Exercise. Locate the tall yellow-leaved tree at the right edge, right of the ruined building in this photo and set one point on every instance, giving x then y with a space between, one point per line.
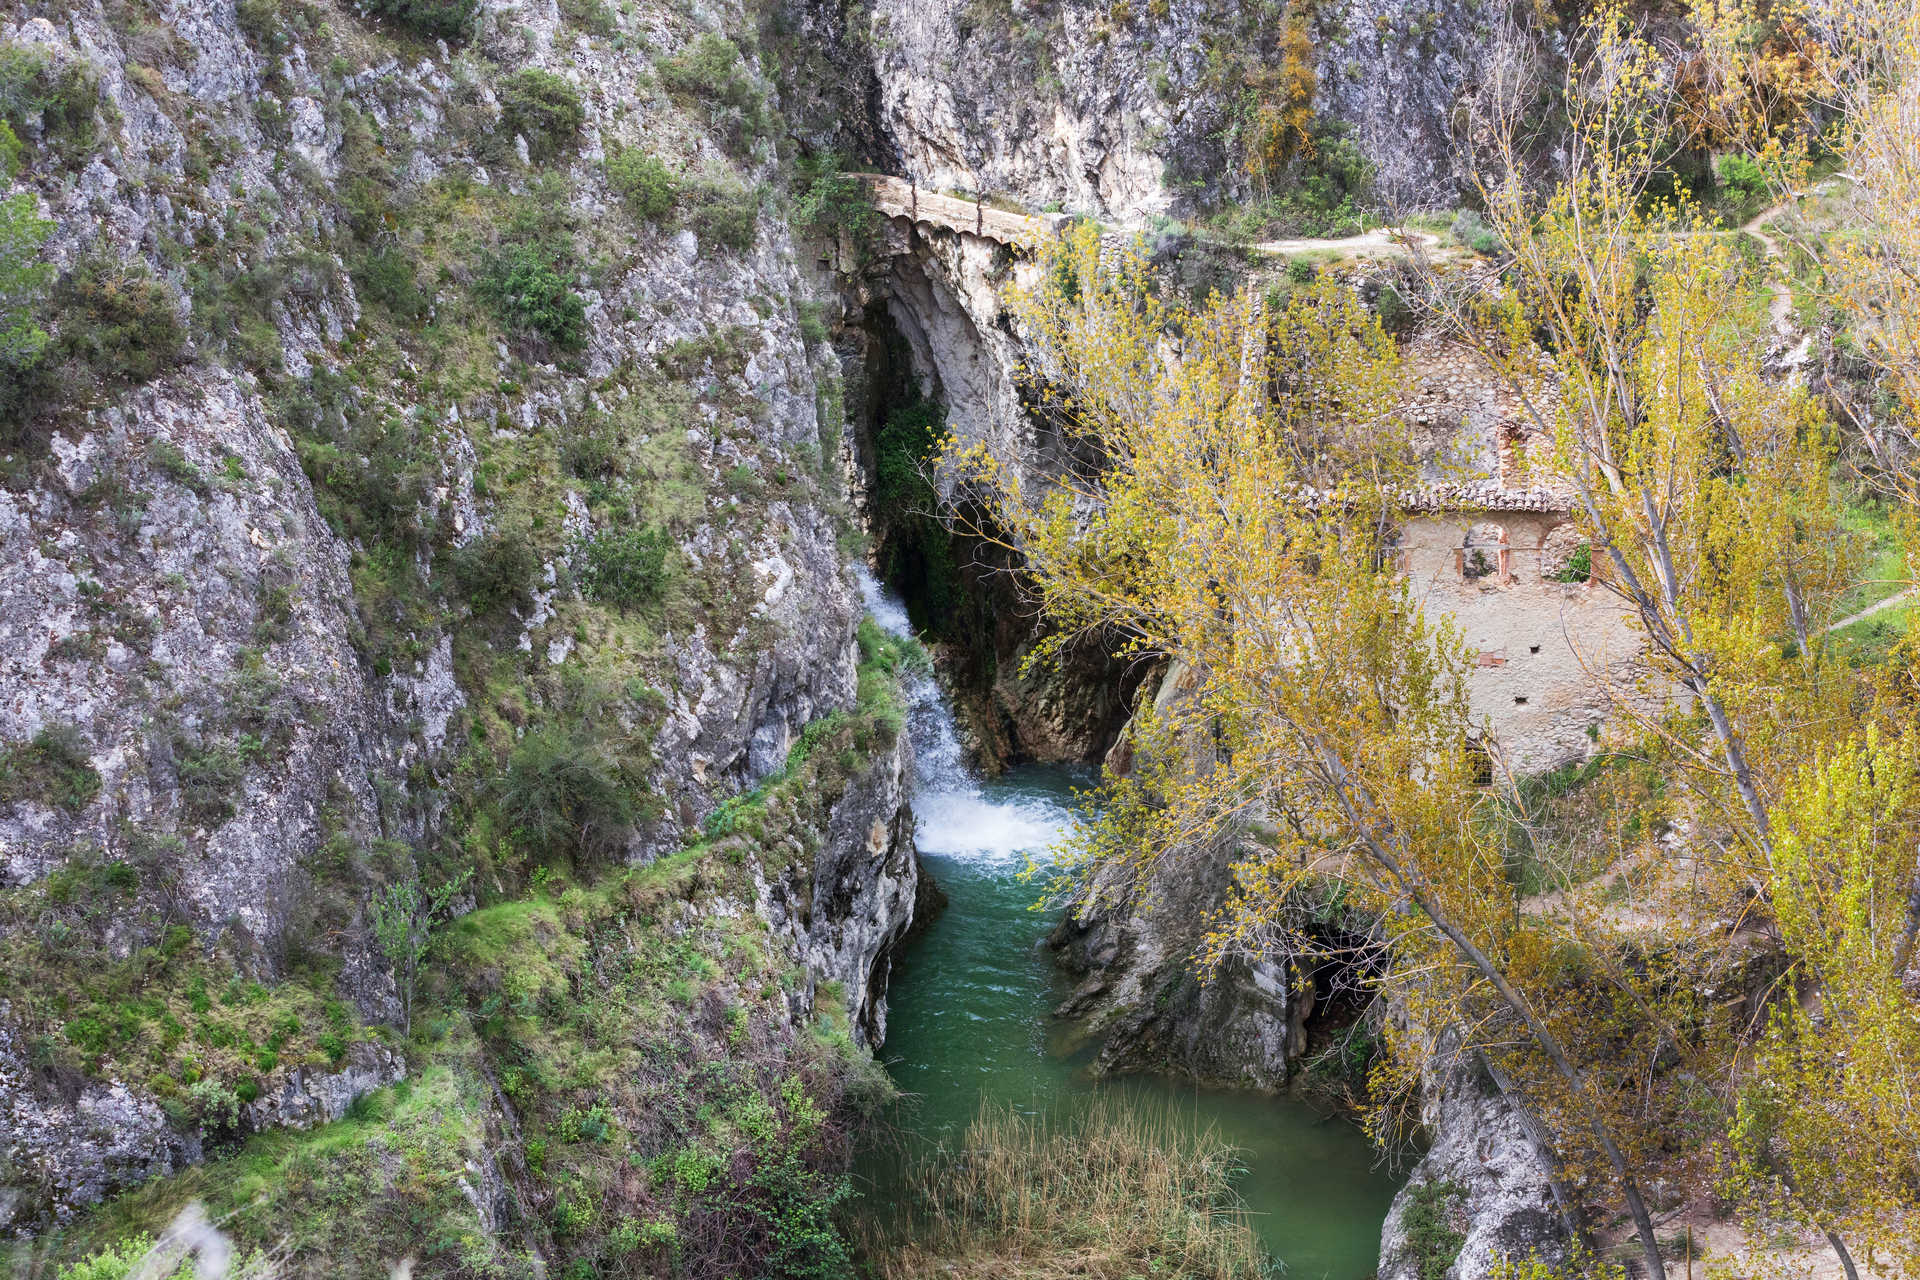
1706 485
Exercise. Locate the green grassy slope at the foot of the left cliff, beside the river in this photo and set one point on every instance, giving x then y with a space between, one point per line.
660 1102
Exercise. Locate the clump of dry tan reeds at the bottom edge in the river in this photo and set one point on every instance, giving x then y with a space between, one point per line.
1107 1191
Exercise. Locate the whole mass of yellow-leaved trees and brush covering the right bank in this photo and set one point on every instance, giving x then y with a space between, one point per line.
1243 523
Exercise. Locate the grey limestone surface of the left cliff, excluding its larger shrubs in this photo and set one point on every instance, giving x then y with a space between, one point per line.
174 594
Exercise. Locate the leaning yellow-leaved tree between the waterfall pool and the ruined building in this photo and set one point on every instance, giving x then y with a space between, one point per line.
1237 521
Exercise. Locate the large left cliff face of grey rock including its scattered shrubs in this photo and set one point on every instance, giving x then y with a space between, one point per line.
404 492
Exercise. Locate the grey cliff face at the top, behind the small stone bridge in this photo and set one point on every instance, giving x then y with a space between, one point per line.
1141 110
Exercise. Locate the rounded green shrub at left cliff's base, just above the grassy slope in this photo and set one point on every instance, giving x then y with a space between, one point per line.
564 792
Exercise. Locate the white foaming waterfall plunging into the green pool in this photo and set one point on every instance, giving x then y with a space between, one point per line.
957 817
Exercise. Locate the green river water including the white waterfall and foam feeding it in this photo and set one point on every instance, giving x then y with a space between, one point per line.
971 1014
